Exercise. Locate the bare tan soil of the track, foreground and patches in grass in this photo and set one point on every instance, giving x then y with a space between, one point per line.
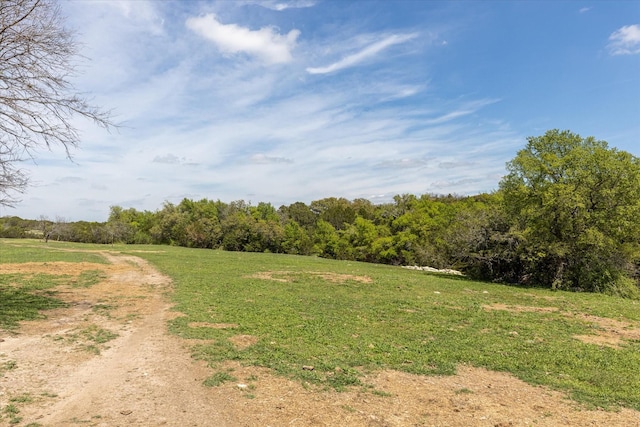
56 375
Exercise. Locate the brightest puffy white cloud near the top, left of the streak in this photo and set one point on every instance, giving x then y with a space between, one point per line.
264 43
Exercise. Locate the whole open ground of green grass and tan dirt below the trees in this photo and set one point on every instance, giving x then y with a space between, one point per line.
277 340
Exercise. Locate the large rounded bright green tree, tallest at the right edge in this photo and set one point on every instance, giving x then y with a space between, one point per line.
574 205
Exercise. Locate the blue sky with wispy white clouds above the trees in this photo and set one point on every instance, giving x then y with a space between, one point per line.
284 101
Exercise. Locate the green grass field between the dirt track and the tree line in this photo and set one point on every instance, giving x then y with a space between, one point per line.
346 318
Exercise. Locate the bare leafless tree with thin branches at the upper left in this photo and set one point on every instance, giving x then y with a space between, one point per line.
38 58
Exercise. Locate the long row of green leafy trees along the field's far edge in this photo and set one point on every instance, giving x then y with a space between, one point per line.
565 216
